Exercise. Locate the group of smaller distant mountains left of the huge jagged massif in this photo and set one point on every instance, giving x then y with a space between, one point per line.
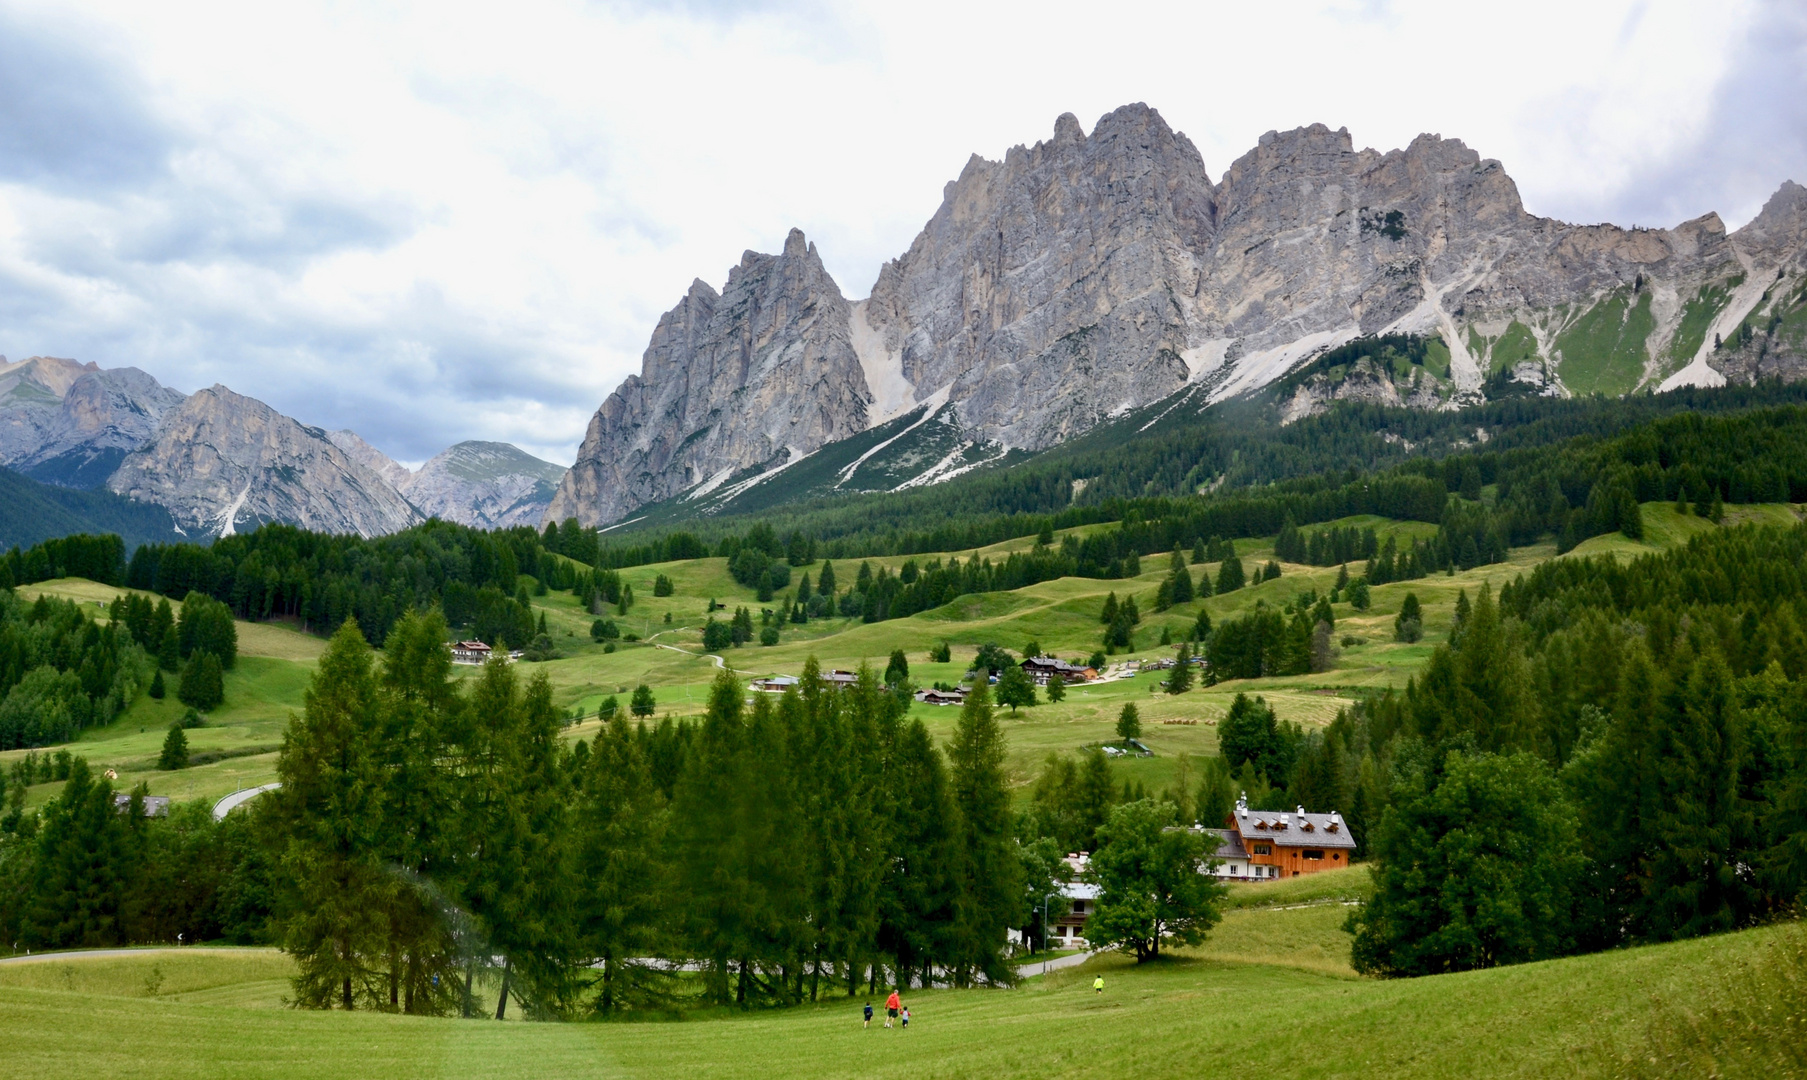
220 463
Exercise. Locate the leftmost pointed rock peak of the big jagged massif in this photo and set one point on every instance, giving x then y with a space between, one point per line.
753 378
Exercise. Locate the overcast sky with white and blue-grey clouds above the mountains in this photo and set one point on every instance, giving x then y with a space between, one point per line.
438 223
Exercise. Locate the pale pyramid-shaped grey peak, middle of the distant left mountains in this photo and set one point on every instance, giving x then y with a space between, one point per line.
223 461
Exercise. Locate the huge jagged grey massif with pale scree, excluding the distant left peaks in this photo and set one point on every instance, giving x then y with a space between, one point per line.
1091 277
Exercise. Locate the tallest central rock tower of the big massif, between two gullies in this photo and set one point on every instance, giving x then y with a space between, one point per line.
1053 290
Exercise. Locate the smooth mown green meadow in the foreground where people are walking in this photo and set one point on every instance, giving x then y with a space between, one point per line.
1271 992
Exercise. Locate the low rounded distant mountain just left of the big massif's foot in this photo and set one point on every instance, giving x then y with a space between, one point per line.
485 485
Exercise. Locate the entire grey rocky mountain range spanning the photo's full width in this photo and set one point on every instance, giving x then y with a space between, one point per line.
1078 283
